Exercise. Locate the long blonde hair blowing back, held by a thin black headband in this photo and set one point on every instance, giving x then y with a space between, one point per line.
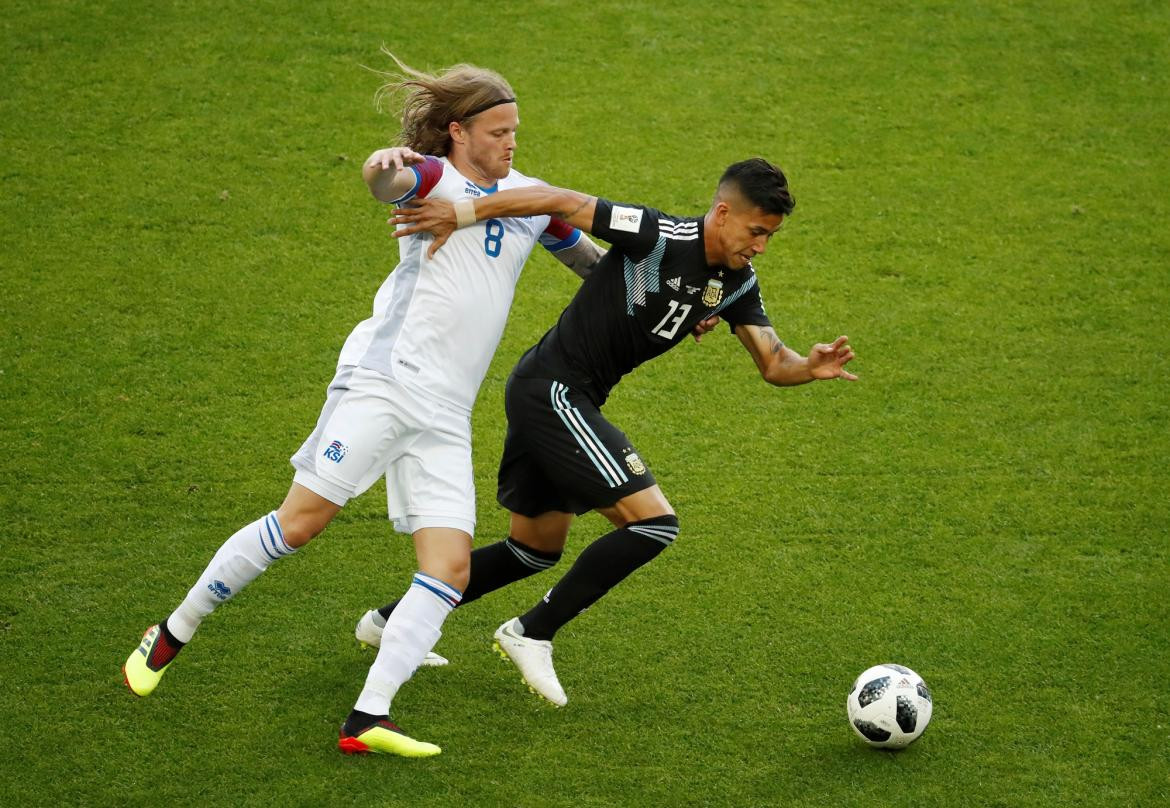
431 102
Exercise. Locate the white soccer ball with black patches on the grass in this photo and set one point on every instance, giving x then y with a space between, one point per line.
890 707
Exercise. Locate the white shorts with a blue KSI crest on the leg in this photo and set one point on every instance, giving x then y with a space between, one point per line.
374 426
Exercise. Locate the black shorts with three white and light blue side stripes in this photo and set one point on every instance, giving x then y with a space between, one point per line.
561 454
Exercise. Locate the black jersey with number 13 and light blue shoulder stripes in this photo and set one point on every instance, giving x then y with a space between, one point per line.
644 298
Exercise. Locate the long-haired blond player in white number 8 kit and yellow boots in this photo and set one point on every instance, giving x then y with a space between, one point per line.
402 398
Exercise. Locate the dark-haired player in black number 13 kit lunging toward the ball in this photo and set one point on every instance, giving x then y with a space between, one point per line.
663 277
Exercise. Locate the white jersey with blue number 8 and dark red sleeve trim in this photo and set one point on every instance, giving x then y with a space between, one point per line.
437 322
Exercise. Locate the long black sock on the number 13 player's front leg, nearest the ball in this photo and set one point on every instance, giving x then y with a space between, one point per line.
601 567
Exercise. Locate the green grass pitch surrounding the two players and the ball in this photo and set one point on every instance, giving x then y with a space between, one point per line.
982 208
